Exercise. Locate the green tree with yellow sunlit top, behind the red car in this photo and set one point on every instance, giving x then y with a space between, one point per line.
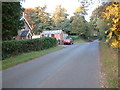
78 23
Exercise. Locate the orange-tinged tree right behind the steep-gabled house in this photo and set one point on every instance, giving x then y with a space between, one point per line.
38 18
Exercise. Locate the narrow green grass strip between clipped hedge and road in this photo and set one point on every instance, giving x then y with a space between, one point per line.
9 62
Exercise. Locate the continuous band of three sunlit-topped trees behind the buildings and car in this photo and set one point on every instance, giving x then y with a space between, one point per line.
75 25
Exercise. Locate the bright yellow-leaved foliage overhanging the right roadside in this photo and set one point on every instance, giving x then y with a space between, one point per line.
106 19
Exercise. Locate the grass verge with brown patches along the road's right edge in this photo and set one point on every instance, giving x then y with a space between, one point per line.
110 65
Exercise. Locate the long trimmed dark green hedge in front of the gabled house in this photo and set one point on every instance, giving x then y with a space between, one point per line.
15 47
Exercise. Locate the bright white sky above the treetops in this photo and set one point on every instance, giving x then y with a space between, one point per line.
69 5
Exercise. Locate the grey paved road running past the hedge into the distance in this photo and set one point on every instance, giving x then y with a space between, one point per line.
76 66
